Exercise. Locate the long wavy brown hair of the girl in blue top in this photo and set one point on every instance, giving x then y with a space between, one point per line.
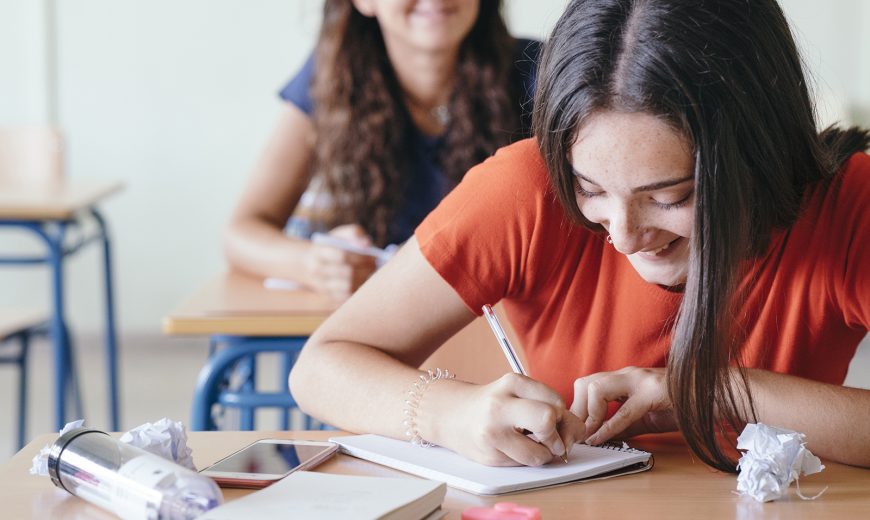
363 148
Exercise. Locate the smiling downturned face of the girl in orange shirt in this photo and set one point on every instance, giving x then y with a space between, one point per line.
633 174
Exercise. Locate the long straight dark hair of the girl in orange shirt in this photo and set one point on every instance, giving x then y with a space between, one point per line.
727 75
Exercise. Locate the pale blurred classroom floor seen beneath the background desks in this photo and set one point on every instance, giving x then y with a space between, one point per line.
157 377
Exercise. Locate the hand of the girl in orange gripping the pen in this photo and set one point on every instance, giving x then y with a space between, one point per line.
490 425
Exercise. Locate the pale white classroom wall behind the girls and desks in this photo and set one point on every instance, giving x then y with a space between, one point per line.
176 97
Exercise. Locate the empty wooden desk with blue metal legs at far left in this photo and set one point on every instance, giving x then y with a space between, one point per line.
46 209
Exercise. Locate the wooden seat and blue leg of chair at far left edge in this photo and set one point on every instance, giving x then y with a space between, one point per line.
18 326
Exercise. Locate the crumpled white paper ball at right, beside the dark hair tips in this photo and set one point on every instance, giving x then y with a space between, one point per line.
774 458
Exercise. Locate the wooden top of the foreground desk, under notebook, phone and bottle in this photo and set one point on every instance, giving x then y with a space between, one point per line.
677 487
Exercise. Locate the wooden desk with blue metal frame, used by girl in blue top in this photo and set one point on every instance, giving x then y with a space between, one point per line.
236 311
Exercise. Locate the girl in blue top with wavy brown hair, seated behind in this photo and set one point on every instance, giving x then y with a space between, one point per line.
398 100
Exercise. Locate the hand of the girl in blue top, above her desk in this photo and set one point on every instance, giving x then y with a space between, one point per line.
337 272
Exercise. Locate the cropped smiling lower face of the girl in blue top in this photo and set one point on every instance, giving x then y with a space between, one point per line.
423 25
